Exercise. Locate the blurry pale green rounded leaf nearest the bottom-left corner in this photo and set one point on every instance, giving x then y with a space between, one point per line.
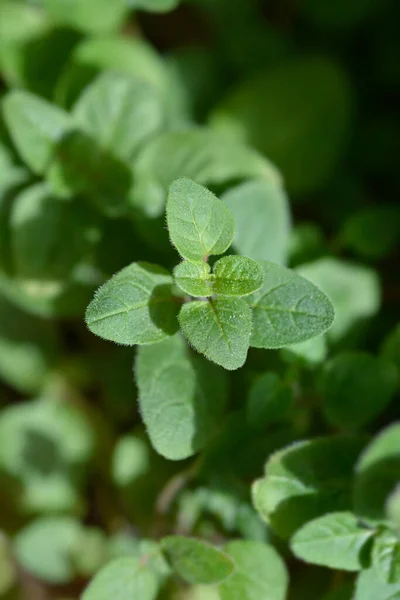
44 548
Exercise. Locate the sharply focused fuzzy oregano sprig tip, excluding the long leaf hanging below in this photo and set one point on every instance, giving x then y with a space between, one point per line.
221 310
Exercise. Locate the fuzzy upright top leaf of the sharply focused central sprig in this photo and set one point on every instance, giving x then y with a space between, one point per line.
199 224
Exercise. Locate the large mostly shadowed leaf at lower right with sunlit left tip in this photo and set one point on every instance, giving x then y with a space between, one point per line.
306 480
